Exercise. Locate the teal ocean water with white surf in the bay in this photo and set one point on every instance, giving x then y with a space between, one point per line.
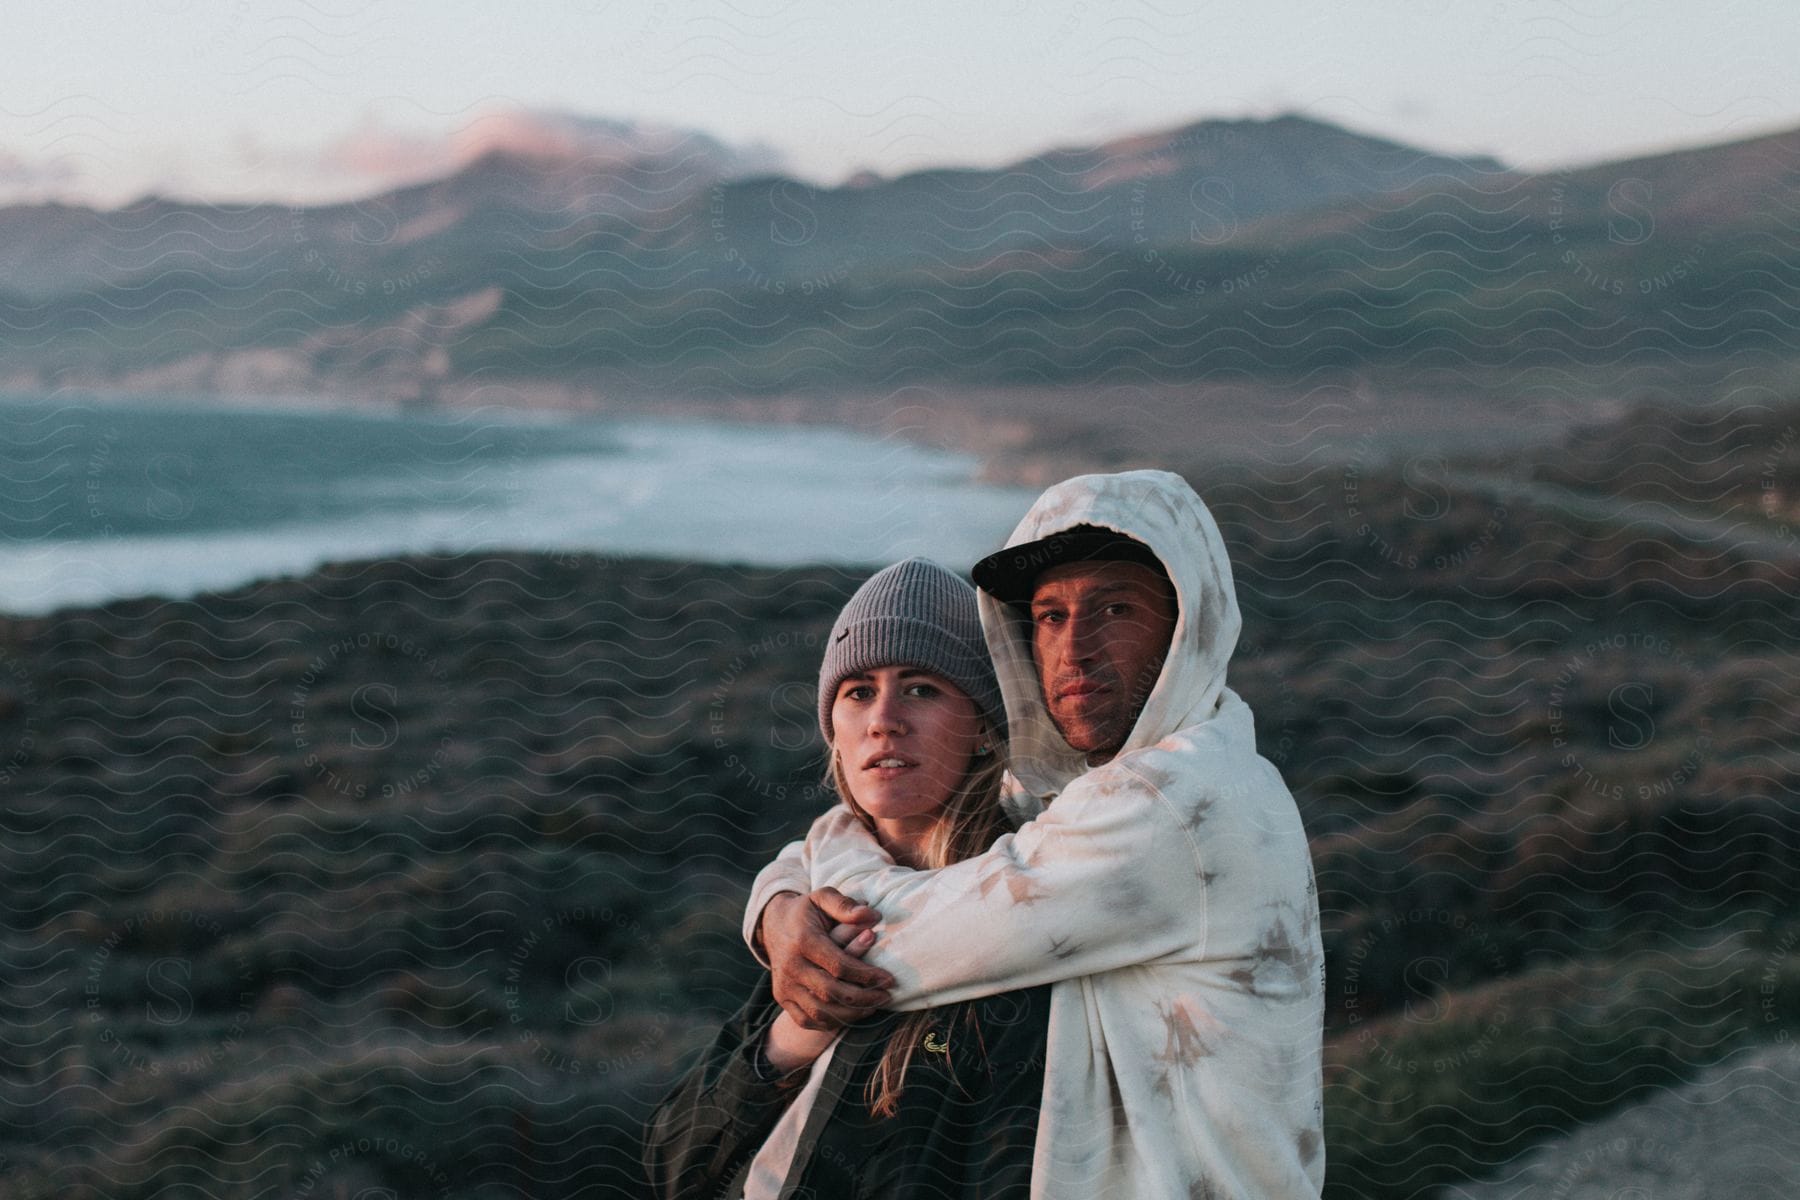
161 497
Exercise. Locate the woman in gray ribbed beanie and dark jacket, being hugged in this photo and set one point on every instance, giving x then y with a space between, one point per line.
931 1104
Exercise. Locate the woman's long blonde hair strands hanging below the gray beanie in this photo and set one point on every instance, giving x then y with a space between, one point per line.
967 825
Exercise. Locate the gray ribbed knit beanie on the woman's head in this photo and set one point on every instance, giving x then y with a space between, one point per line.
913 614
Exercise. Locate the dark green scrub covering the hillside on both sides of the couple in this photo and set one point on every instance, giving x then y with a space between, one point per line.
427 873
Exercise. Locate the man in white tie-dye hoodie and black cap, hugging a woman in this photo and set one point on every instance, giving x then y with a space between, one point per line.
1162 882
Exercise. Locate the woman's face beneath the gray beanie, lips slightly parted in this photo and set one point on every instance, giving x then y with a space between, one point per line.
904 739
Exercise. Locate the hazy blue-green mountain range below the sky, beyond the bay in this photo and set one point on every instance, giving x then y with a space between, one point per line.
1216 249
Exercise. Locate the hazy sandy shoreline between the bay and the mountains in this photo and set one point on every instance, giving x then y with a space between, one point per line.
1023 436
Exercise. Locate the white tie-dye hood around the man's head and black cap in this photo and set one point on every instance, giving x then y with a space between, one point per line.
1160 510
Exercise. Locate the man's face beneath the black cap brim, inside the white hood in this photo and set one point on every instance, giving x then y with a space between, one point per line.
1099 636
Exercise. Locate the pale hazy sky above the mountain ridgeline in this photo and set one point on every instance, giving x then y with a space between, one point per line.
231 98
